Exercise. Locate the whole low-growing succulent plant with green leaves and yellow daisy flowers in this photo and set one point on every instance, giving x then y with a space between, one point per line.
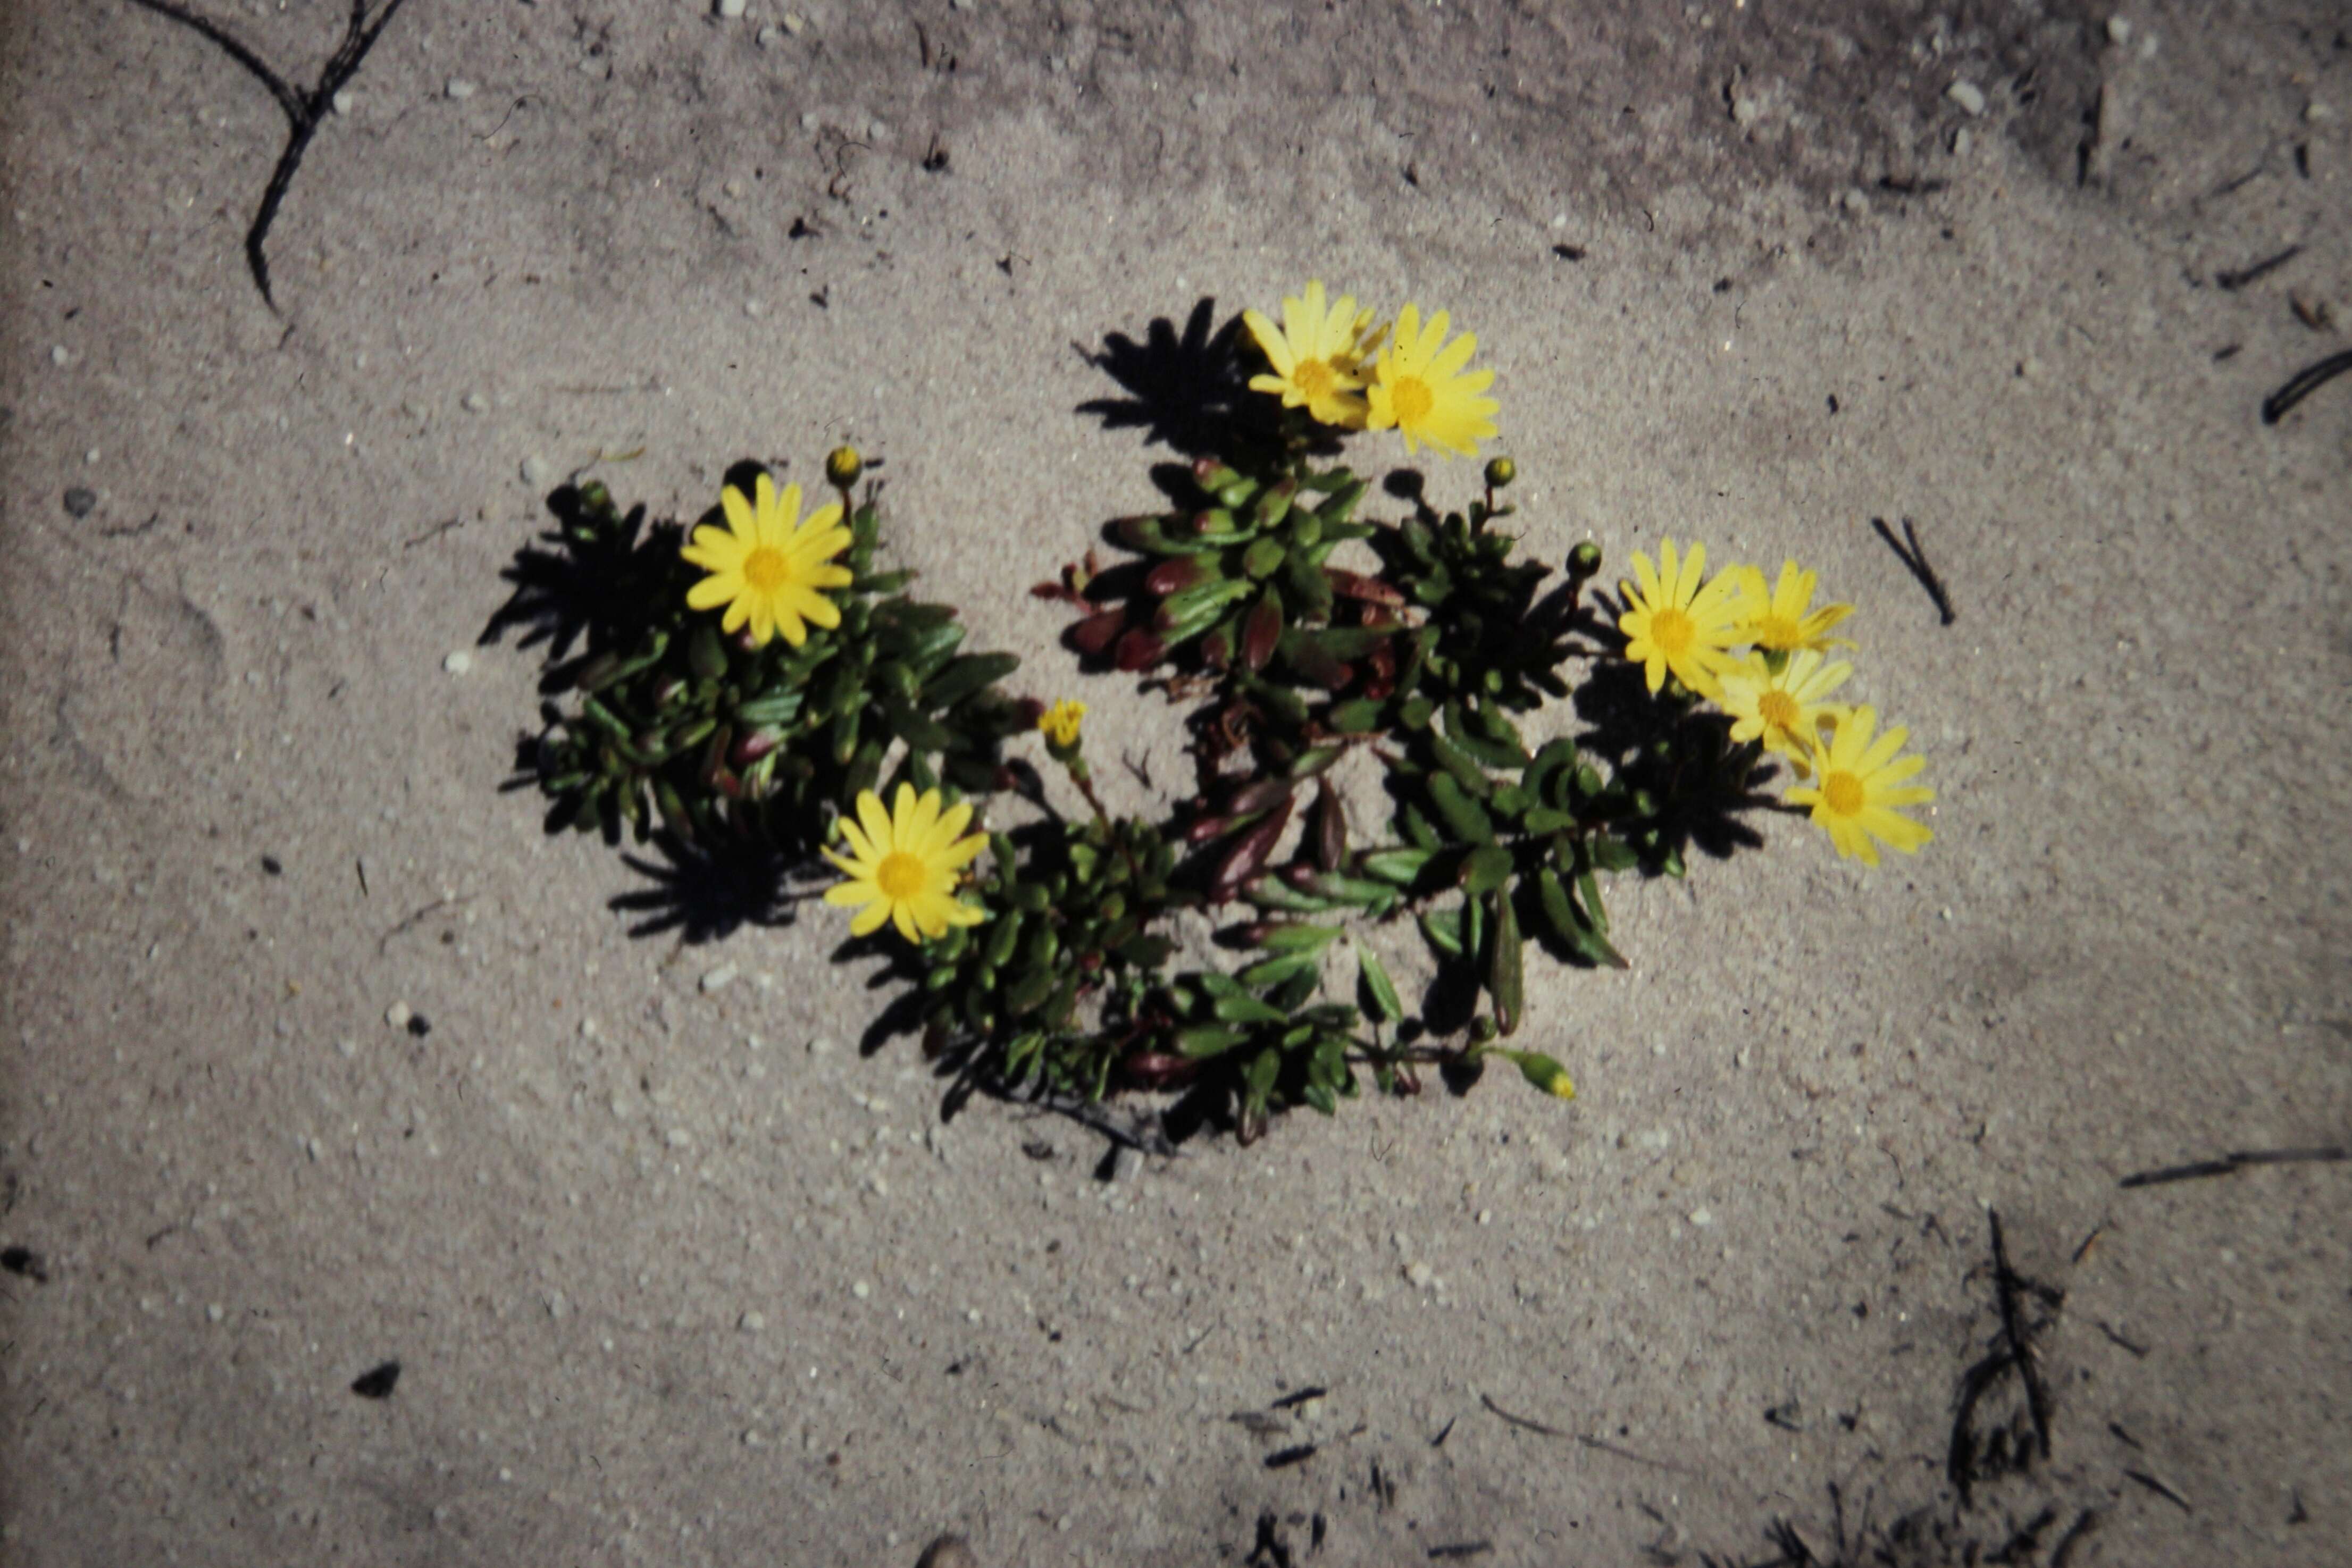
766 681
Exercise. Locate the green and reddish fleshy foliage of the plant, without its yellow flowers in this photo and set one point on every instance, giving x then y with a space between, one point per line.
1434 659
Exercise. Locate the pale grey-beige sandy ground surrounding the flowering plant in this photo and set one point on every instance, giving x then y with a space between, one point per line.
679 1275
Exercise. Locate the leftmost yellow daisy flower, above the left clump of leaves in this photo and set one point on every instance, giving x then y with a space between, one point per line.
768 568
